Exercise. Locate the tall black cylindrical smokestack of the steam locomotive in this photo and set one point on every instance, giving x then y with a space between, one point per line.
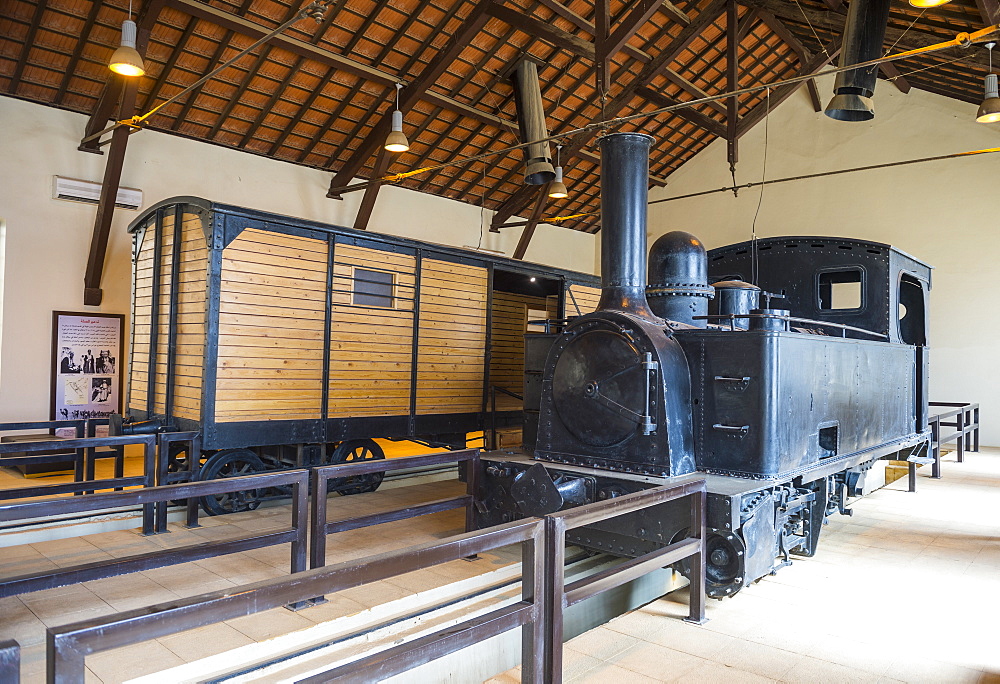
624 189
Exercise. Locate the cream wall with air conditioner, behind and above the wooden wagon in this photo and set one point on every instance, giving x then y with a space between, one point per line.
48 240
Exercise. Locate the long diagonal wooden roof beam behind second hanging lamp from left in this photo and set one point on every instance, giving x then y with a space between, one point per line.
413 92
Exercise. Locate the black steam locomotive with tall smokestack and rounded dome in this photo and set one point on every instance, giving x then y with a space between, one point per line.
786 414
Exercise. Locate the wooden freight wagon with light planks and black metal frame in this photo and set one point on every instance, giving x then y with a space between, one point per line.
290 342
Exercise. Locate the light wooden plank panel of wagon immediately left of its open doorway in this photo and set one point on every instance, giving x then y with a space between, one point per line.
451 344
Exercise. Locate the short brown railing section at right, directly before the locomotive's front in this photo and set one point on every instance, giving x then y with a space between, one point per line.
561 596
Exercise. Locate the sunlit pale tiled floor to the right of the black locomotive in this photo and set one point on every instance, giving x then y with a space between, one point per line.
908 589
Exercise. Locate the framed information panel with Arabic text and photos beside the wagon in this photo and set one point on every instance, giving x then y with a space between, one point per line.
86 364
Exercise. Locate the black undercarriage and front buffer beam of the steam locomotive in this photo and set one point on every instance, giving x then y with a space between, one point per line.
753 527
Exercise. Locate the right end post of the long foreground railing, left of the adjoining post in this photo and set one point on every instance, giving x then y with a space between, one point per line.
533 590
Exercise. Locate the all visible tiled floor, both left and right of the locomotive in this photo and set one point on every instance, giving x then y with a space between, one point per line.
908 589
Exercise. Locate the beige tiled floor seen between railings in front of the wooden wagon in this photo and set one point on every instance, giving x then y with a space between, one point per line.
26 617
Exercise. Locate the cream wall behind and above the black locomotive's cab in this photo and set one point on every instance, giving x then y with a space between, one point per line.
944 212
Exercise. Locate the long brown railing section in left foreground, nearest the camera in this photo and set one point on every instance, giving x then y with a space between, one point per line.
68 645
